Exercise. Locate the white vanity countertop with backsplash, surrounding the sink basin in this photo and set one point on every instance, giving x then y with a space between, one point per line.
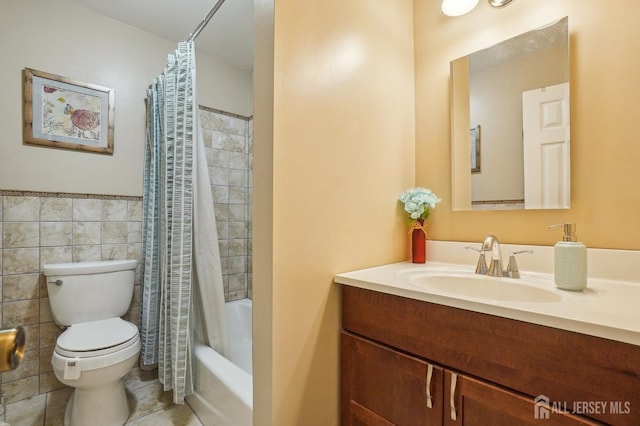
608 308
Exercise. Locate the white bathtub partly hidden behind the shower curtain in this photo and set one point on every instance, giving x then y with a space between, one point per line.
224 387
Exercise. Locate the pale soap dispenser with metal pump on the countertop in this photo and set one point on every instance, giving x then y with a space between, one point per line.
570 260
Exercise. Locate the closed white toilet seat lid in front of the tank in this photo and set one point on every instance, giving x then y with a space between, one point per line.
96 335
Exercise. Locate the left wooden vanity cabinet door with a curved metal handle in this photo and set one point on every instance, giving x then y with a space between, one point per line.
383 387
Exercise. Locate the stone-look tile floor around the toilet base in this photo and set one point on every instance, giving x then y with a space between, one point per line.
150 406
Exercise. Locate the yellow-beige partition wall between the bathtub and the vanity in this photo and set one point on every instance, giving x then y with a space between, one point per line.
342 151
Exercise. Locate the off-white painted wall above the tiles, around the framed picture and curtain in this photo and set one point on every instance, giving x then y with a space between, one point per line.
59 37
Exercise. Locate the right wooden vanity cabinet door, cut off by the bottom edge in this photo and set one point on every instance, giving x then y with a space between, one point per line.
471 402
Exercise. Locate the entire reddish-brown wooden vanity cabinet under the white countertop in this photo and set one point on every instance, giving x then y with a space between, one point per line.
410 362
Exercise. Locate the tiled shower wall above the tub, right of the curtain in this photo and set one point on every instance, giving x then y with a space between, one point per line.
229 145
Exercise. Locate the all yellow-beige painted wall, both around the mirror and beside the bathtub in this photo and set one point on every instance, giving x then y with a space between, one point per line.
341 140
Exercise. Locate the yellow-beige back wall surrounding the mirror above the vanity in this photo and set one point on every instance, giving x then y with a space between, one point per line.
605 89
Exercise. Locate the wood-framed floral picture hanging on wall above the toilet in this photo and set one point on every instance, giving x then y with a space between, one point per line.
63 113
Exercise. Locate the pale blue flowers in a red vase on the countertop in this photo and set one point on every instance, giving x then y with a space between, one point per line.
418 202
